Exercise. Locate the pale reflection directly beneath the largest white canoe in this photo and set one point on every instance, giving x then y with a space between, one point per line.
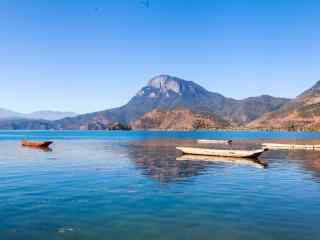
240 161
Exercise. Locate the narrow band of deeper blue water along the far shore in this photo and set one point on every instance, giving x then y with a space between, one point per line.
44 135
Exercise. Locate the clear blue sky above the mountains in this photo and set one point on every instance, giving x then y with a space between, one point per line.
86 56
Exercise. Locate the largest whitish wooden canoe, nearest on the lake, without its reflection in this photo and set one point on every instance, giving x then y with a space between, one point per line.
222 153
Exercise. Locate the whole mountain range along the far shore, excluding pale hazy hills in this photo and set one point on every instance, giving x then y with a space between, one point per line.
168 102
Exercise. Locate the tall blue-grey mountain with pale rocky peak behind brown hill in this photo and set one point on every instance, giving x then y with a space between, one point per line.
167 92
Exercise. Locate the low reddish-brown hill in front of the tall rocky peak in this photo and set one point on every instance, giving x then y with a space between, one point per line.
179 119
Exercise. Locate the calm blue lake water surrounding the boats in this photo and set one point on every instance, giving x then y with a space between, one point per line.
129 185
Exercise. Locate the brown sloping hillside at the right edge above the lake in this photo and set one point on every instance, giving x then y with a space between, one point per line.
301 113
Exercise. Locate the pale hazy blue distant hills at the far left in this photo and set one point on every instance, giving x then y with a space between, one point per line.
44 115
